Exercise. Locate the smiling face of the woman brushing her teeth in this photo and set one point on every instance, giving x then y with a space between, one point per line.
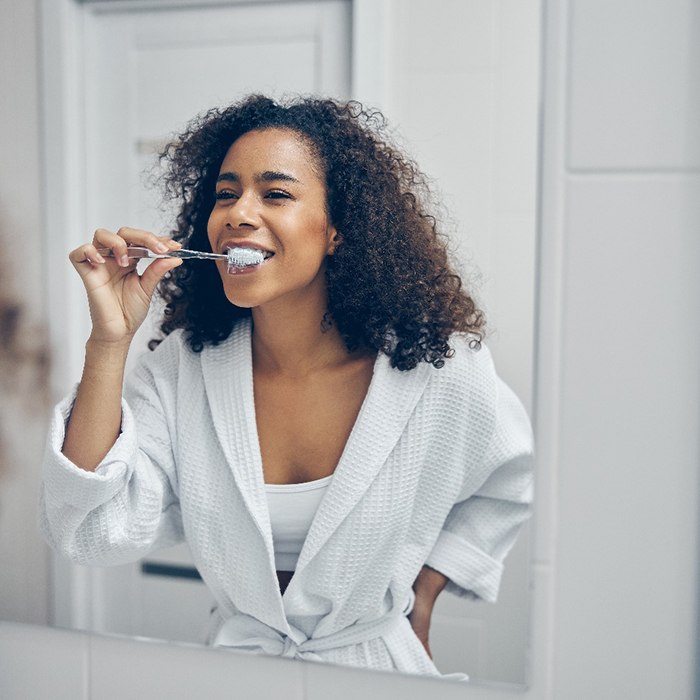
271 195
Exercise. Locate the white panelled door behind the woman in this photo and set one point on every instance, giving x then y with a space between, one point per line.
147 73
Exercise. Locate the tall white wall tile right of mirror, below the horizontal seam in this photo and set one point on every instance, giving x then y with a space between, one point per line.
628 482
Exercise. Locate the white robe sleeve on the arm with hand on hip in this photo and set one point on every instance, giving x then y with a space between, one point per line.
483 524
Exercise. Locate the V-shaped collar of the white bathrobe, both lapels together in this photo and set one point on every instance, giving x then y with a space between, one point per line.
391 398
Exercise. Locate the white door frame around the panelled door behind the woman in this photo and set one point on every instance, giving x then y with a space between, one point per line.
75 600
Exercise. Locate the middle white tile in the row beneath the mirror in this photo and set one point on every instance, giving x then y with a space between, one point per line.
126 668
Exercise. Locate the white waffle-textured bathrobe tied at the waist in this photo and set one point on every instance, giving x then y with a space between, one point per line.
437 470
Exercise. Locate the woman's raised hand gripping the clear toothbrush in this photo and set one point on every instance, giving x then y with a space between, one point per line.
118 296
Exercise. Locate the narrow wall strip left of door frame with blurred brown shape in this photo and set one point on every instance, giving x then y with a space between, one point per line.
23 397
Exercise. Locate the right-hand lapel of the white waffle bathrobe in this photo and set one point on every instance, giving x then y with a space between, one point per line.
389 403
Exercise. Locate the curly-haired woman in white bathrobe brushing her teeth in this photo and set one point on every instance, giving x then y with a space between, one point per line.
323 428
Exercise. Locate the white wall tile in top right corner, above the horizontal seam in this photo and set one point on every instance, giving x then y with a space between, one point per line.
635 84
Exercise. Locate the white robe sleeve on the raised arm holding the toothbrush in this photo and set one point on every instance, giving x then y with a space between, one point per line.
129 505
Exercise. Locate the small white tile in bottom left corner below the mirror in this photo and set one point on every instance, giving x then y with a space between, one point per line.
41 662
